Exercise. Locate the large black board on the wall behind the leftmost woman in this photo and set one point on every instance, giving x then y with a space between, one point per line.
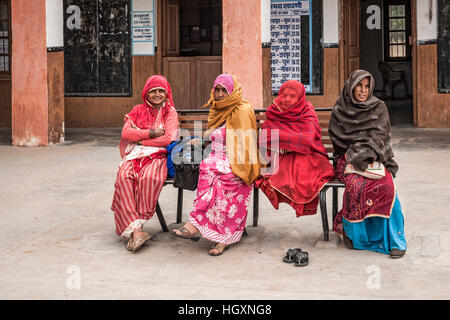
97 48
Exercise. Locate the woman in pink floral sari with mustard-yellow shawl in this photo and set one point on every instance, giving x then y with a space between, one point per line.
225 184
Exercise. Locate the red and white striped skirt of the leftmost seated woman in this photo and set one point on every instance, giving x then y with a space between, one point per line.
136 195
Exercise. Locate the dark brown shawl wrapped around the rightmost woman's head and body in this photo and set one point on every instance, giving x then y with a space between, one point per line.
361 130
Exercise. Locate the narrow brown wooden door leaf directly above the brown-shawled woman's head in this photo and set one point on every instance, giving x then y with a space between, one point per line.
350 37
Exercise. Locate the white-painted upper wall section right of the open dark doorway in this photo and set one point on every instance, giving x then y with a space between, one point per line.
426 28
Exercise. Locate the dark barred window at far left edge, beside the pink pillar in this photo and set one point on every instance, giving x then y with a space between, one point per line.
5 37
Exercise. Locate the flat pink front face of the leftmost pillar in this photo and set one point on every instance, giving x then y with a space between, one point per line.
29 73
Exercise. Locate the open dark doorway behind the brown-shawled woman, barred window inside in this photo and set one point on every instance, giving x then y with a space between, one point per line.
385 51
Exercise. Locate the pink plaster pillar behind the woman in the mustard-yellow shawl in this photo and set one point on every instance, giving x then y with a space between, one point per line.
242 48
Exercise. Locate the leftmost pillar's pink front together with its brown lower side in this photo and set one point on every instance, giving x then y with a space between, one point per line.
37 93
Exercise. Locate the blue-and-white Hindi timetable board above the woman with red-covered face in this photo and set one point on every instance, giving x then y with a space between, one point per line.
291 42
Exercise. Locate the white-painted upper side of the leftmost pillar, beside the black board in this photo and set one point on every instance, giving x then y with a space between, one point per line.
55 16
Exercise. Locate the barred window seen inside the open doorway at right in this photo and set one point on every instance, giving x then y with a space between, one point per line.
397 29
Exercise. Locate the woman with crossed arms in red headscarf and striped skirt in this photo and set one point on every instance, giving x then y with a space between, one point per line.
148 130
